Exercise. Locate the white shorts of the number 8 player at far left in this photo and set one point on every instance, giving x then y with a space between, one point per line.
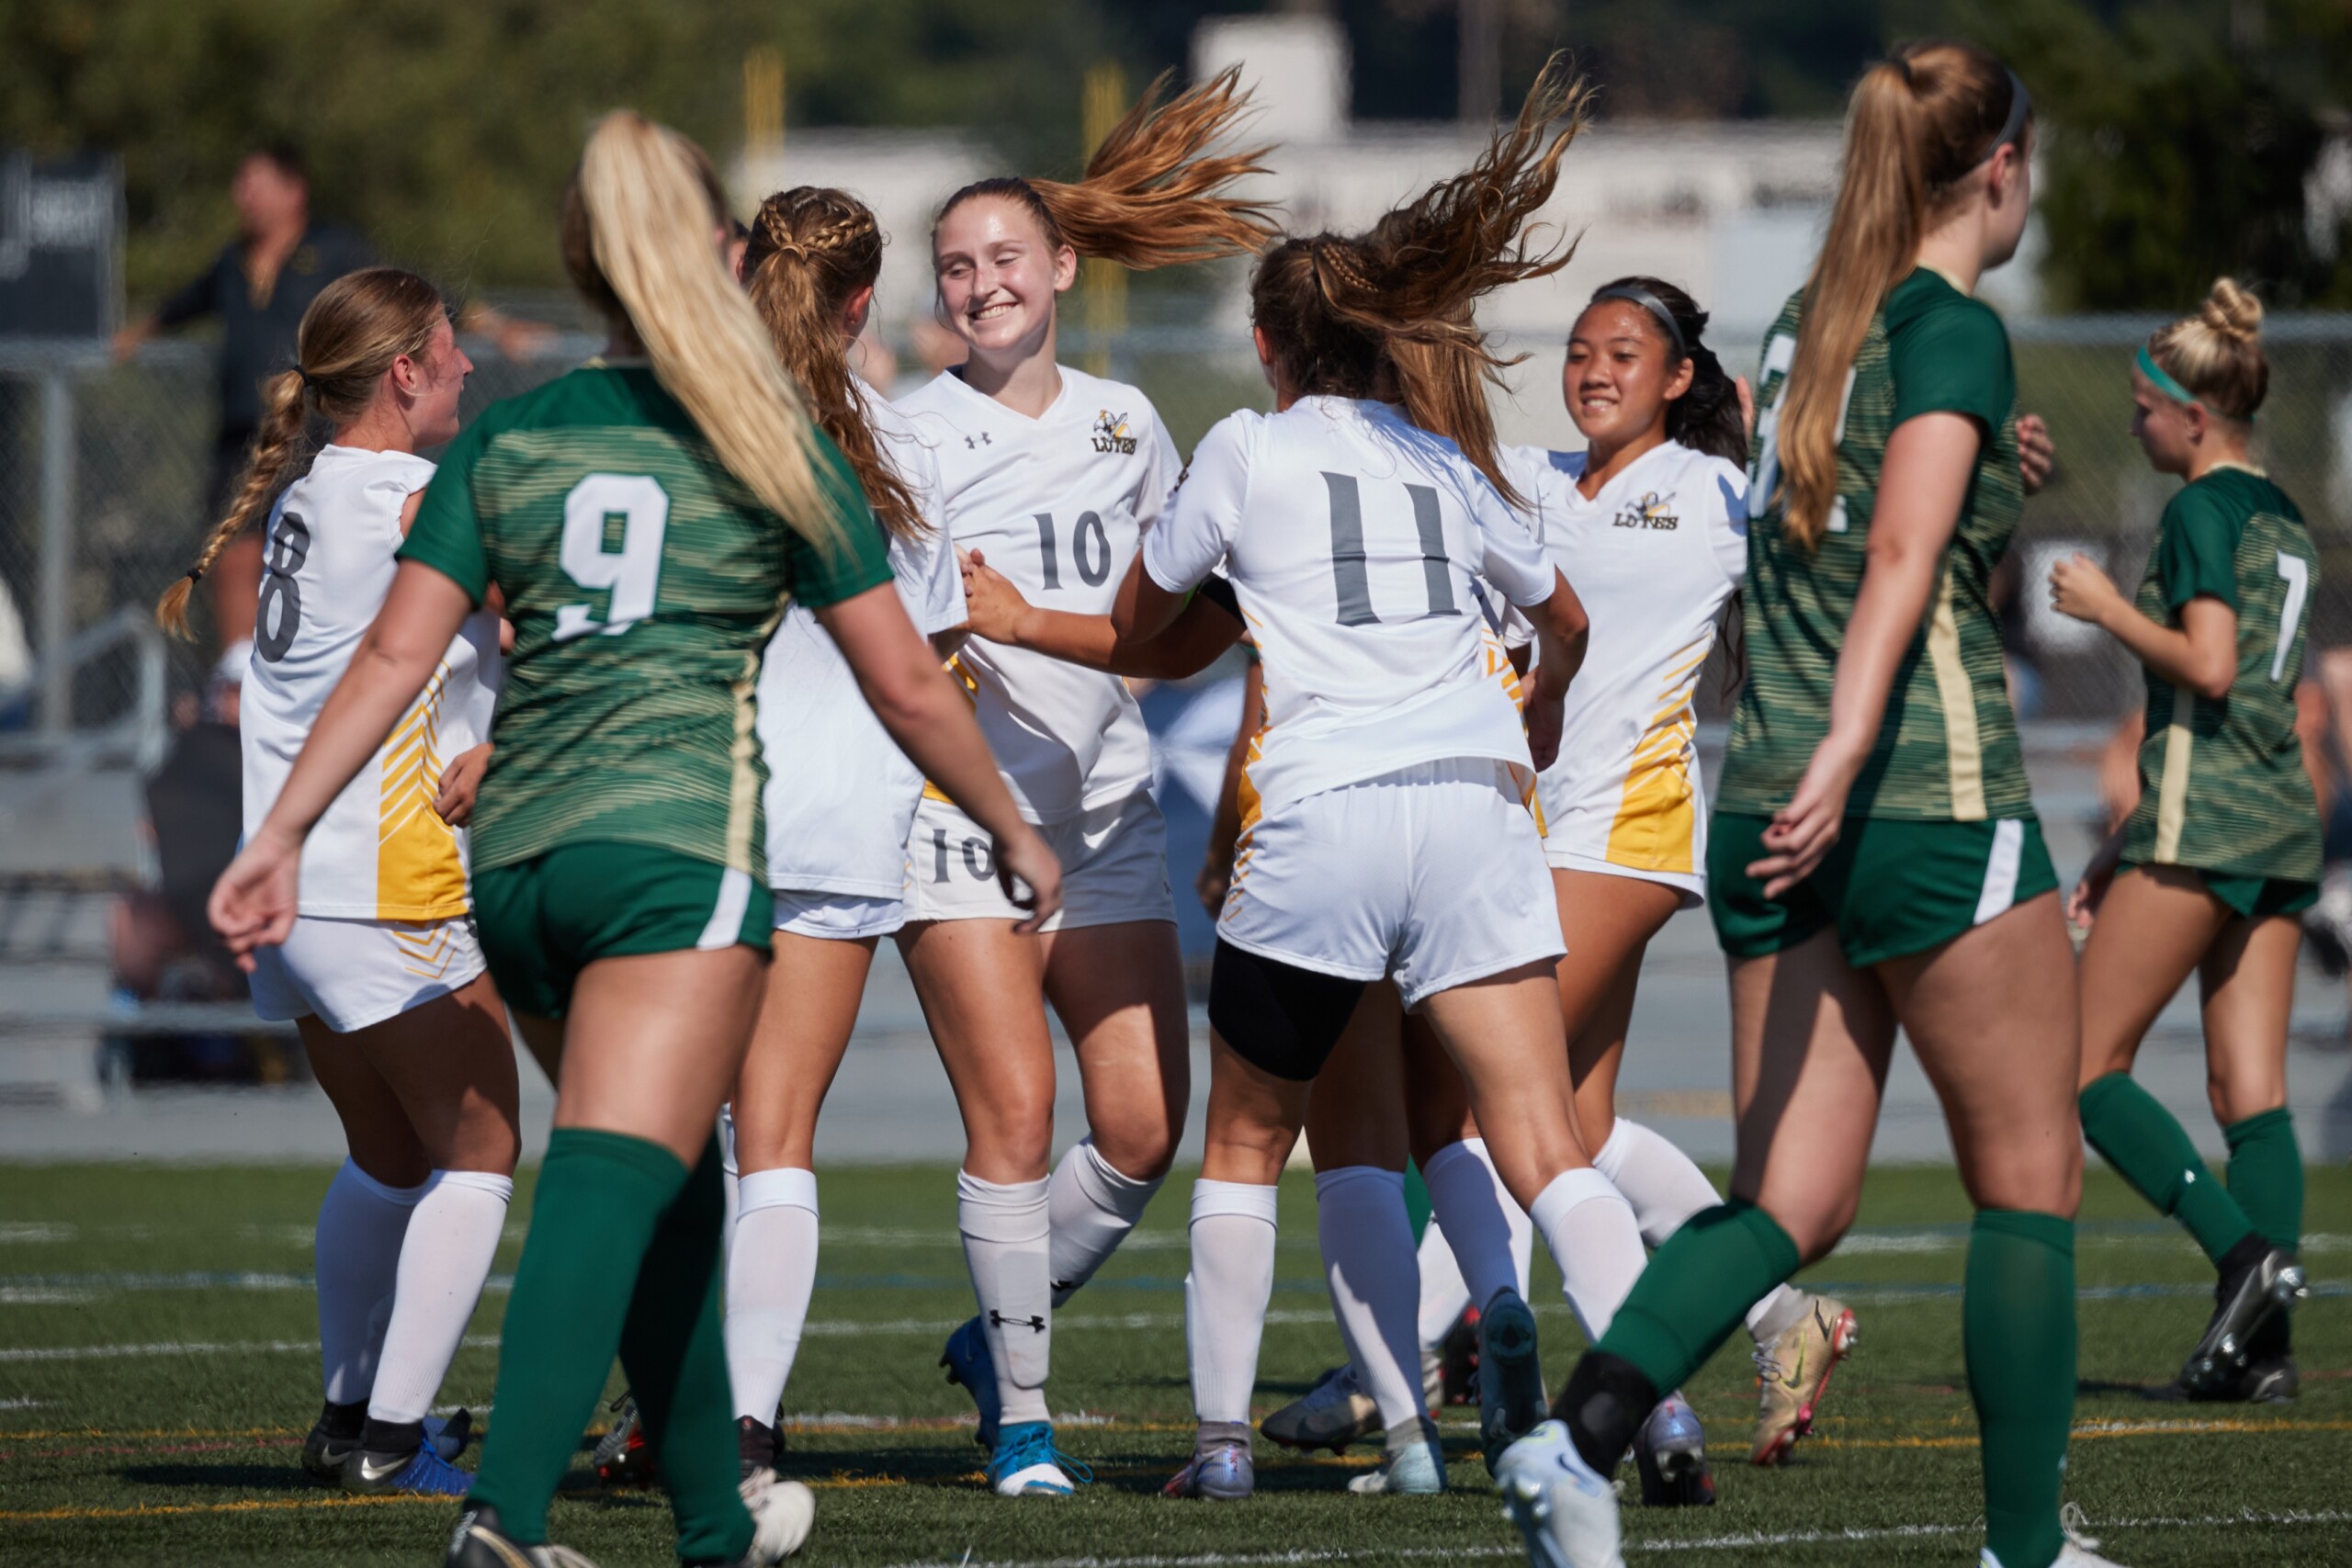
359 972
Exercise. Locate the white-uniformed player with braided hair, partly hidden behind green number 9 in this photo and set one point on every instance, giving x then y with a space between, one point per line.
841 793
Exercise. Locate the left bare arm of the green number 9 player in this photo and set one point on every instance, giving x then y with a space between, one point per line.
253 904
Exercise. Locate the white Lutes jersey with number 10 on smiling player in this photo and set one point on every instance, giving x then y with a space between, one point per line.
1057 507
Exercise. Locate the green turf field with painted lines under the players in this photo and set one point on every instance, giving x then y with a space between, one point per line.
159 1372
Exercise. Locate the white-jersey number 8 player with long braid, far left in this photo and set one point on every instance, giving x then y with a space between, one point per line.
382 972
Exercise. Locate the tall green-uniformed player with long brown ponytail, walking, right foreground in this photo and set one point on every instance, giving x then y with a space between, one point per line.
1876 862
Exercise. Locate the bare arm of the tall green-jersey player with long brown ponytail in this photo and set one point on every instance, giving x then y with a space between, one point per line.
1923 485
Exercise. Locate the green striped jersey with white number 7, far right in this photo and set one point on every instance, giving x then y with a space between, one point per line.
2224 784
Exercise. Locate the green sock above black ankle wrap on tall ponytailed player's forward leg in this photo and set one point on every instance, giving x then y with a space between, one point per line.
1697 1289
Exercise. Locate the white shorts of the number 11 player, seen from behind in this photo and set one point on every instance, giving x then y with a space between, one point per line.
1431 878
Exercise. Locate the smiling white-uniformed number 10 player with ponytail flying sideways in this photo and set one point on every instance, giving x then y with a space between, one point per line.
1055 476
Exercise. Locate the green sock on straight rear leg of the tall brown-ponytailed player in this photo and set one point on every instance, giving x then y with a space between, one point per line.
2019 1341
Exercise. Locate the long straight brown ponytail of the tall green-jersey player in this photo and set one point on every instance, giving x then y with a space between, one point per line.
1920 121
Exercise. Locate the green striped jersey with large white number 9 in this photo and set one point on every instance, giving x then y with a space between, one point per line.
643 582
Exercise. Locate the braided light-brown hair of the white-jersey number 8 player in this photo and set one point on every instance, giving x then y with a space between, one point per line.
347 342
